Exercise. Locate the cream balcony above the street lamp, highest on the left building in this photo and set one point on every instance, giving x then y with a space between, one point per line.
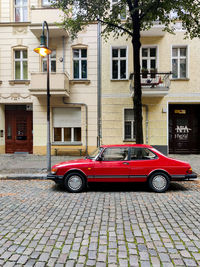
38 15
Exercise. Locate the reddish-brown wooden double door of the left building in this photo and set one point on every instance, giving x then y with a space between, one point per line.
19 126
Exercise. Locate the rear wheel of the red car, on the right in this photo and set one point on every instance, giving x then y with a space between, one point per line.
159 182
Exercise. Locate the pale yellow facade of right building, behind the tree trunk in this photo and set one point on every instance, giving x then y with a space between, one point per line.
170 90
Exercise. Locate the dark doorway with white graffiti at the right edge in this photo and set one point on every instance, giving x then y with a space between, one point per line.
184 128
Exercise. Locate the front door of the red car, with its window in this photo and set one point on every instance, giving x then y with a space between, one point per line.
113 165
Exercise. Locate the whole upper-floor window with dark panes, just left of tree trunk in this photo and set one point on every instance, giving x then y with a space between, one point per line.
119 63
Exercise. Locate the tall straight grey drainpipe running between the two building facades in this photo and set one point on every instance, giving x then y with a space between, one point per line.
99 118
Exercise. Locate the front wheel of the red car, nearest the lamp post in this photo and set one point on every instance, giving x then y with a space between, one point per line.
74 182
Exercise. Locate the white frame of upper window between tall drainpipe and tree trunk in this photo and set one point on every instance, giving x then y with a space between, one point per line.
118 58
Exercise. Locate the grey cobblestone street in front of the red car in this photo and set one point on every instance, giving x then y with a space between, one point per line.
109 225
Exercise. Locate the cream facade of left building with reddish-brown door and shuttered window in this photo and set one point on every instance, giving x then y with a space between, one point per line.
23 86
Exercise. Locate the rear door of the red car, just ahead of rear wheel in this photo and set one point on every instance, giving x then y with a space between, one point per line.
142 162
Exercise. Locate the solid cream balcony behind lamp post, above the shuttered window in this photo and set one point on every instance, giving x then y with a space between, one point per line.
59 84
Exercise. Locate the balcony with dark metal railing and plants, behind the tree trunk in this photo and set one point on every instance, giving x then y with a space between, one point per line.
155 84
